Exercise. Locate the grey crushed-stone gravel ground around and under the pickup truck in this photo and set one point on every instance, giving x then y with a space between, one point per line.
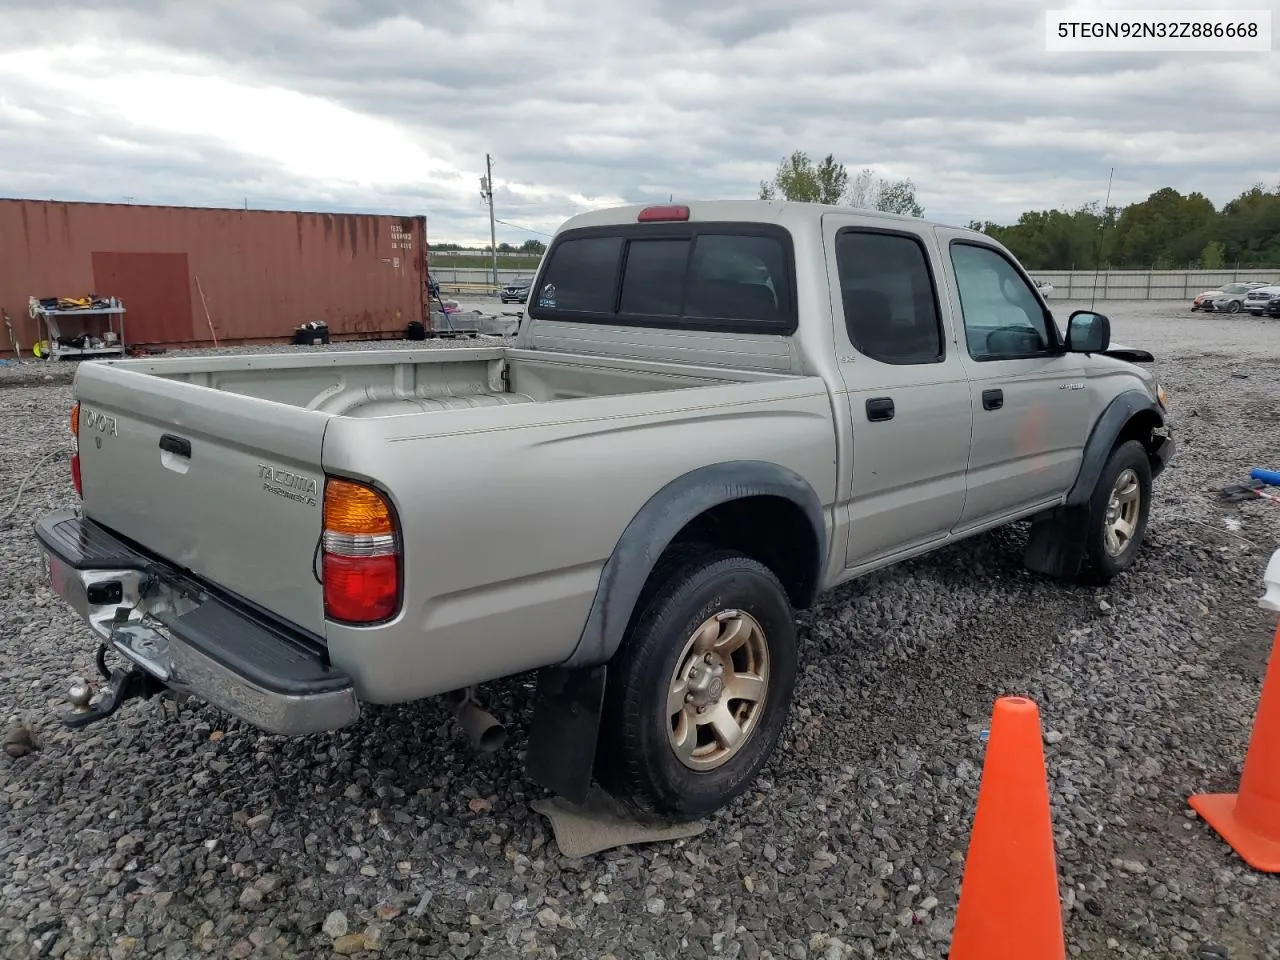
194 835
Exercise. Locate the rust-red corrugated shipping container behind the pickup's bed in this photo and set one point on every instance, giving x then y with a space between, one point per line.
260 273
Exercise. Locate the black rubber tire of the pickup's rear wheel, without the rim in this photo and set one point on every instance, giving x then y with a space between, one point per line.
637 762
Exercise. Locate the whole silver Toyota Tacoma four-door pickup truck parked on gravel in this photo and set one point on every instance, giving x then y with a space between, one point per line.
711 415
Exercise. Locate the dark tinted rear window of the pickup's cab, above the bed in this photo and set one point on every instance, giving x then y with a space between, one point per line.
700 277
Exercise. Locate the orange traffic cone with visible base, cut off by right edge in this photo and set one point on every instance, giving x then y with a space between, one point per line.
1250 821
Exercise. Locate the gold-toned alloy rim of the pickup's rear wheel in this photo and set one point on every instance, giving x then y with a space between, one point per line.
717 692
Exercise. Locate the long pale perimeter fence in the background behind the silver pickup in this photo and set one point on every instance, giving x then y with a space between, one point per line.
1076 285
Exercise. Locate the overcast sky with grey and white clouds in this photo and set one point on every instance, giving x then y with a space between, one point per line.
391 106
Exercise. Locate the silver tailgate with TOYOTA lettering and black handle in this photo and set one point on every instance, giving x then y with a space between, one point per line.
223 486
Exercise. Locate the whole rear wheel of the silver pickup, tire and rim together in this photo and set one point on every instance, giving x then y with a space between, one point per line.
701 689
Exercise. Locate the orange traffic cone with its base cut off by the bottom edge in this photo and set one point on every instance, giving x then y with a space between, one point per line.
1009 903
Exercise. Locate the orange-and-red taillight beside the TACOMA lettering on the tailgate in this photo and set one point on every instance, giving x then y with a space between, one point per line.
362 555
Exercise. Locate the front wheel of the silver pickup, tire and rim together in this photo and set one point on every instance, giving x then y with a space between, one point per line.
1119 510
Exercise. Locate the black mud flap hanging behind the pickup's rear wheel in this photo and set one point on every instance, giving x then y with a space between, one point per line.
568 707
